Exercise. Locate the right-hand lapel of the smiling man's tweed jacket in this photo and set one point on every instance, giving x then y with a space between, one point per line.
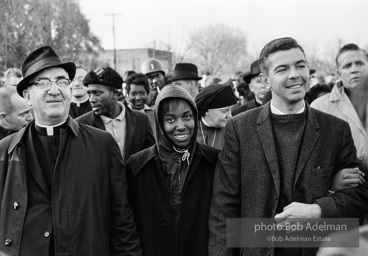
308 142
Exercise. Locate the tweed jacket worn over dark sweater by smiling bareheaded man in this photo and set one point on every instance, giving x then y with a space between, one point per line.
247 178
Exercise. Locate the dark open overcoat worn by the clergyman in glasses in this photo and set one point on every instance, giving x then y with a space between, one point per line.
90 210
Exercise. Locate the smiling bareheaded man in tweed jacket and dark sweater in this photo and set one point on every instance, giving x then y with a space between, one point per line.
278 160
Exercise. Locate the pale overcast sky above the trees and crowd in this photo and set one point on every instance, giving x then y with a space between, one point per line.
316 24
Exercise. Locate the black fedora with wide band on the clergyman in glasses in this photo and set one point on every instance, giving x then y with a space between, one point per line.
38 60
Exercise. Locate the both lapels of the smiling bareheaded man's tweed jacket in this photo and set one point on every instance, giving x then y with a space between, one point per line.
266 136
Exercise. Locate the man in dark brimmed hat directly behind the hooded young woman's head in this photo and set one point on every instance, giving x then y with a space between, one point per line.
186 75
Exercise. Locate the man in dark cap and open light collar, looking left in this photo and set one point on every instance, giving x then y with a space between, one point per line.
131 129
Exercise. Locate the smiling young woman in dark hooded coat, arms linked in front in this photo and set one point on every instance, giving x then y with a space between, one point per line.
170 183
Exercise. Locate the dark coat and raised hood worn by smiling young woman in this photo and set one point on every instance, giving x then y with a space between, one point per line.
162 231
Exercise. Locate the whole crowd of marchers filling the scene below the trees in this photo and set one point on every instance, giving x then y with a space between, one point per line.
96 163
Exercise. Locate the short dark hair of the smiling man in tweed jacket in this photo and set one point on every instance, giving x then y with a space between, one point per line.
280 44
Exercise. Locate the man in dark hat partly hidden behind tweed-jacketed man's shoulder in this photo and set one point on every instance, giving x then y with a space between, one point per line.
256 86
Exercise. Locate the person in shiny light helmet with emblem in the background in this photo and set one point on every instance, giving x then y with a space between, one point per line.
154 71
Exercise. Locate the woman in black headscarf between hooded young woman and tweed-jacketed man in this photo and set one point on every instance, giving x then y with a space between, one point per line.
214 104
